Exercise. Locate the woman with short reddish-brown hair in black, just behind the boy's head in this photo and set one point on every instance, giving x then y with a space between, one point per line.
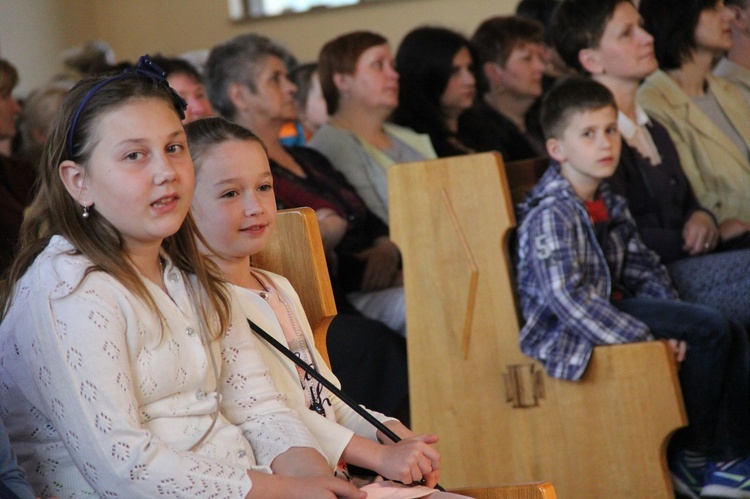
512 56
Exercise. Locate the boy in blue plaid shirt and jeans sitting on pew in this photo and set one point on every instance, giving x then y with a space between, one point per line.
586 279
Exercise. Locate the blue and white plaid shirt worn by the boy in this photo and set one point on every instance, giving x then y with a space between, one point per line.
566 277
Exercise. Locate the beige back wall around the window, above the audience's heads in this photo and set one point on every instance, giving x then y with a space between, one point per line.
34 32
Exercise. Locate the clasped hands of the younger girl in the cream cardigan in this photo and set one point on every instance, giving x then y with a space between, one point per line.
410 460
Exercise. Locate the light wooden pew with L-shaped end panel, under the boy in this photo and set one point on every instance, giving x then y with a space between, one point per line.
500 418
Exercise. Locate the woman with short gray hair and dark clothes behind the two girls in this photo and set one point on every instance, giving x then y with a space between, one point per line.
247 82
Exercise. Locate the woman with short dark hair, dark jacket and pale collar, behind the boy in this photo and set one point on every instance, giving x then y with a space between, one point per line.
589 36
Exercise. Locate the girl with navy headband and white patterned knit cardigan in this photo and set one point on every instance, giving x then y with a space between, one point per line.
126 370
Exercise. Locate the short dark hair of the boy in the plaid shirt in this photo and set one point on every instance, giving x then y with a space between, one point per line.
569 96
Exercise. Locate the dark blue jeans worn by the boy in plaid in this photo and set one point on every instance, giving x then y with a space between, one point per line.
715 375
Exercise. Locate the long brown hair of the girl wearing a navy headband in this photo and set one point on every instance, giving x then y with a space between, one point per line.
55 212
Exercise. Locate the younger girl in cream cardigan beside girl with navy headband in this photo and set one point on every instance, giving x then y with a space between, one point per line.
235 209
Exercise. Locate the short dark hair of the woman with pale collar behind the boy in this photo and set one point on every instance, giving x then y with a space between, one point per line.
578 25
